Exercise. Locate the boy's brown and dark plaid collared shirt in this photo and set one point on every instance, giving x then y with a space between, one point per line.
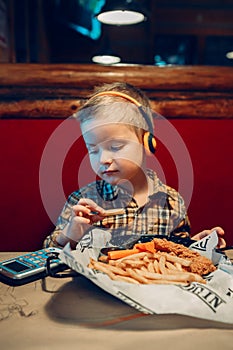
163 214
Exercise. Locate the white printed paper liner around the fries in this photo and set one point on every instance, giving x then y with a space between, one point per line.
211 301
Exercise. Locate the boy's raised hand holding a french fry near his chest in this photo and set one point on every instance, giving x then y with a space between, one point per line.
84 214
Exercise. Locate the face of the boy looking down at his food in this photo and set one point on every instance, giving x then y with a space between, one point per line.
115 152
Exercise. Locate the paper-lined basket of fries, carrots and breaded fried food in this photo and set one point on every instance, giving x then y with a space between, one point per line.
159 275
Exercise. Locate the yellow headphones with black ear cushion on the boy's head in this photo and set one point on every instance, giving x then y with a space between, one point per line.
149 140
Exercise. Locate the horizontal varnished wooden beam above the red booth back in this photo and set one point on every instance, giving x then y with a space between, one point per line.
55 90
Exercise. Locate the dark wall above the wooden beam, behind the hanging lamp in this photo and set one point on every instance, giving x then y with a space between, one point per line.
193 32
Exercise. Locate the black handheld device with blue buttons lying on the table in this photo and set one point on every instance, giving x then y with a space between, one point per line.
30 266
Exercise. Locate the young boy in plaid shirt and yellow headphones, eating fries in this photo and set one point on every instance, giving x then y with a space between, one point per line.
117 127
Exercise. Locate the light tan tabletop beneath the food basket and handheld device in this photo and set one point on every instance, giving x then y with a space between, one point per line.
75 314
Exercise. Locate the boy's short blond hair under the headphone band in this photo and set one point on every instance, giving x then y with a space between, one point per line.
107 107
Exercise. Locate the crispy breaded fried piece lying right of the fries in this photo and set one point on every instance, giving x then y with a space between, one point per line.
199 263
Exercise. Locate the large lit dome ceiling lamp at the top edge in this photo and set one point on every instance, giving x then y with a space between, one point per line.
121 13
